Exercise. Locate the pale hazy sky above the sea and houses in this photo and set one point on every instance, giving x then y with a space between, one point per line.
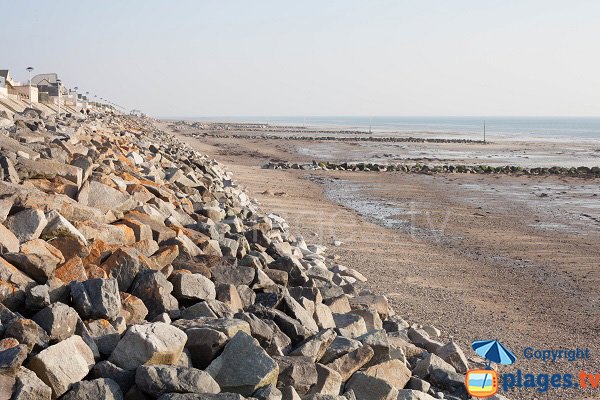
346 57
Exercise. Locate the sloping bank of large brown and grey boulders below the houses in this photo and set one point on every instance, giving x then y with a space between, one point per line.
132 267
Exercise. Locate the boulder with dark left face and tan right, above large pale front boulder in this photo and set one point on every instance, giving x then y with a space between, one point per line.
155 291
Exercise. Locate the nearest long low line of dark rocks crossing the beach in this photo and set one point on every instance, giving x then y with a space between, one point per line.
445 168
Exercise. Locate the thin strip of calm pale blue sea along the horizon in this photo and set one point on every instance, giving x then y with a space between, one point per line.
521 127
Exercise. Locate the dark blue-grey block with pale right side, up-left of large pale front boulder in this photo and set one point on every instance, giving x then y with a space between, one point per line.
96 298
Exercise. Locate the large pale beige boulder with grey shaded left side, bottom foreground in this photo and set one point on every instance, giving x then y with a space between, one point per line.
155 343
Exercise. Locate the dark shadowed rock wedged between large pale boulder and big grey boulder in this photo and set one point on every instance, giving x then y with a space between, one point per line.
204 344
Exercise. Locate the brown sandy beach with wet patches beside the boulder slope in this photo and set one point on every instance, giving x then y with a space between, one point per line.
478 256
